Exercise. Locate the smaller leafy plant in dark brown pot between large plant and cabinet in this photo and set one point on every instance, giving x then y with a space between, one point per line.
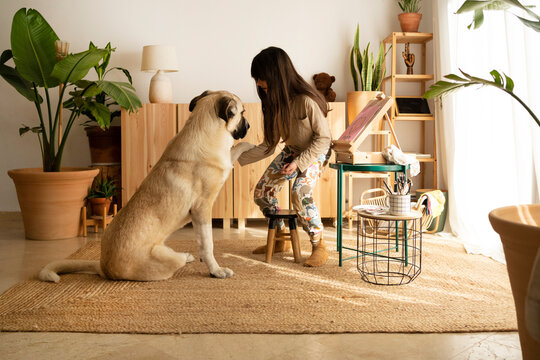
104 139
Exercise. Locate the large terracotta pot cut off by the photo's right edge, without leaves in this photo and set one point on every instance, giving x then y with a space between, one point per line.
519 229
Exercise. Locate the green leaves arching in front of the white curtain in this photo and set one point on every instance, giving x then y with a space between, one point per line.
500 81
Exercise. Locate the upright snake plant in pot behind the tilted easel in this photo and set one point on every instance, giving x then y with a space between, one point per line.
367 76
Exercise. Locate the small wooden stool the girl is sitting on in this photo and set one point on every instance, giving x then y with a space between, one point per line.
291 236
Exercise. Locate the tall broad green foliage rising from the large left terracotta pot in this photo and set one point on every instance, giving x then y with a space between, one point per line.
37 70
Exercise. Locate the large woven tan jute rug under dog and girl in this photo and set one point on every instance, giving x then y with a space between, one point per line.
455 292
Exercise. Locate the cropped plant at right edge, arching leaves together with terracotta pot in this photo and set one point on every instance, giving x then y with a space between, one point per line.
518 225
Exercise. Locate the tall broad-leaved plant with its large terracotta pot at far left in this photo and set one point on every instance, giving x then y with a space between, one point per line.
50 197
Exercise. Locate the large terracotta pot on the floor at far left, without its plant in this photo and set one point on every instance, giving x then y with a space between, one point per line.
51 202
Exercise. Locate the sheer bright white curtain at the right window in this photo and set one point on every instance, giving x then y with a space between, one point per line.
489 145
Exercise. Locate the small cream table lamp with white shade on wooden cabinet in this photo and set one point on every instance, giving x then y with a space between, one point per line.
162 59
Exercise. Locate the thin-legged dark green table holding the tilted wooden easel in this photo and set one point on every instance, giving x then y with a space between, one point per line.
341 169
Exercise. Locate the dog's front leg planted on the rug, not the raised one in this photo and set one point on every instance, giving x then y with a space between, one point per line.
203 231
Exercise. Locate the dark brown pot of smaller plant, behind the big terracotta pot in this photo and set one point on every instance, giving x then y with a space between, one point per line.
105 145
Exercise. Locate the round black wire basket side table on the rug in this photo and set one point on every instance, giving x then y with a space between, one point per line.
389 248
